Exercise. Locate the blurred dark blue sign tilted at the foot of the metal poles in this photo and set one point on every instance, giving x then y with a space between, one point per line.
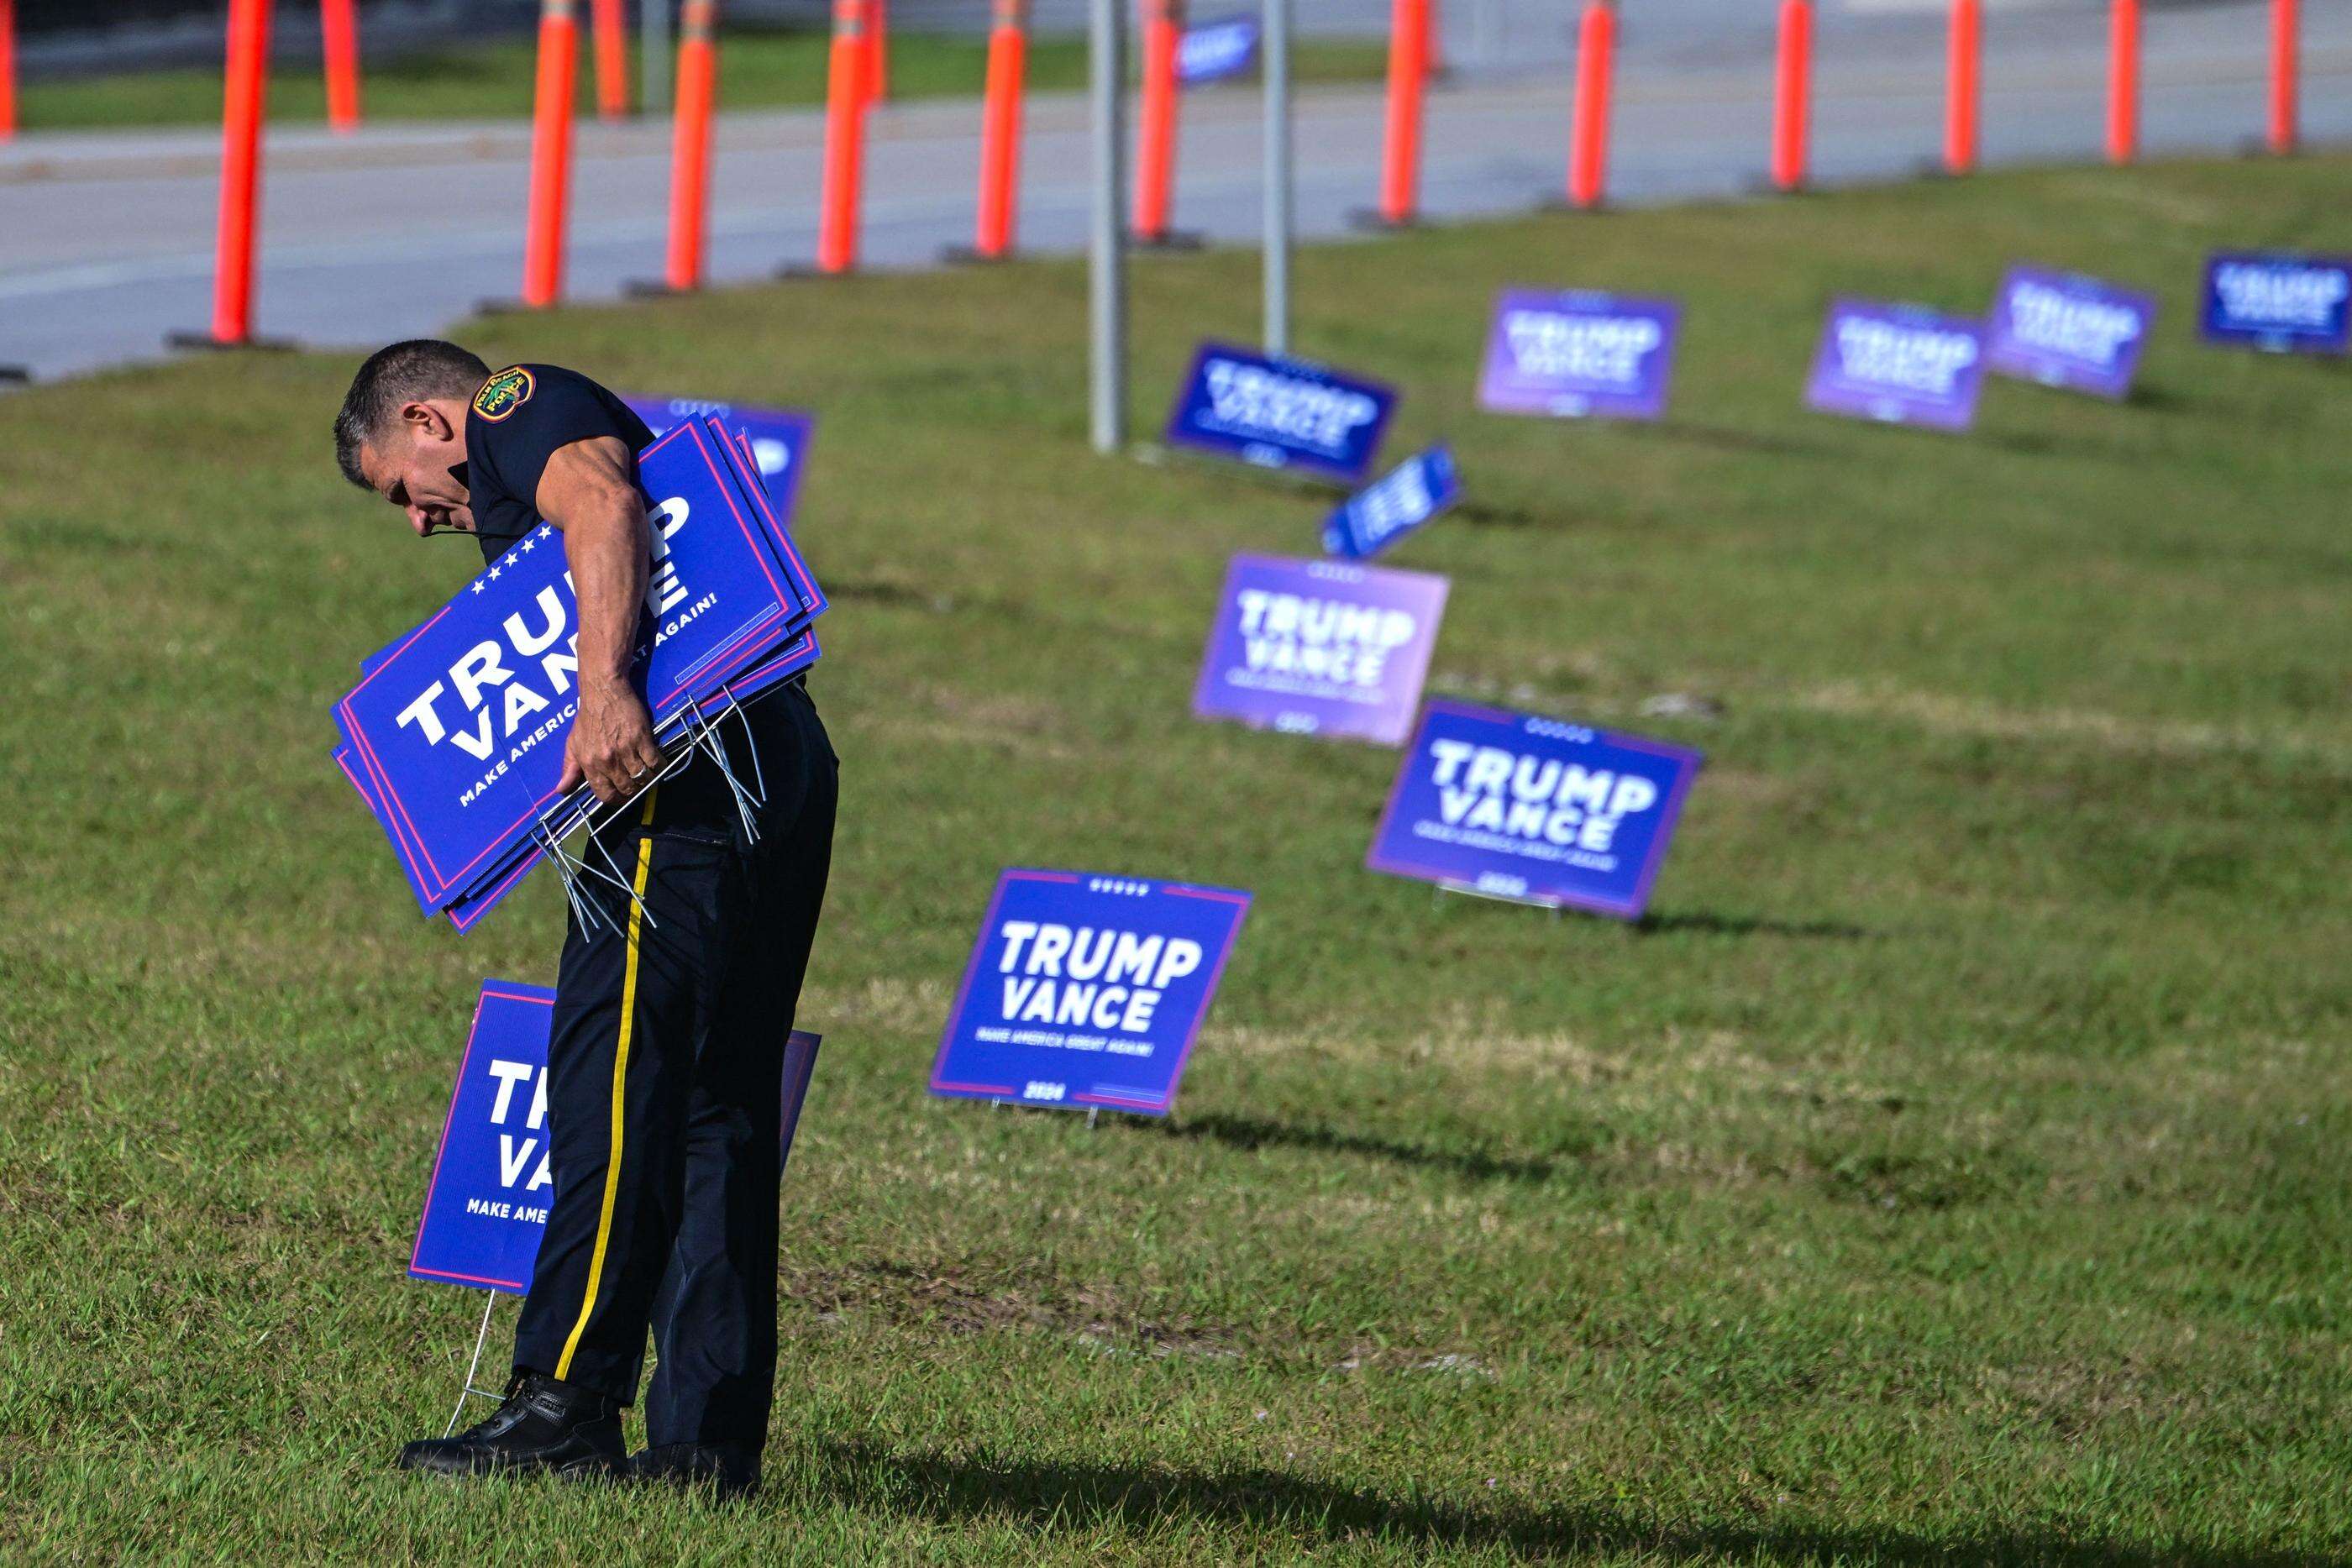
1281 413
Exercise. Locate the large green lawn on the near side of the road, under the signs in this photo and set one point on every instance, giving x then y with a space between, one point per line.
1951 1172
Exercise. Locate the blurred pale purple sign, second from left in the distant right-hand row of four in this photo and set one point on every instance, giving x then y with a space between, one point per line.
1899 366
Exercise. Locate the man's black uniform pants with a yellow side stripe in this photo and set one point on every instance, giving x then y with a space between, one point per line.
664 1090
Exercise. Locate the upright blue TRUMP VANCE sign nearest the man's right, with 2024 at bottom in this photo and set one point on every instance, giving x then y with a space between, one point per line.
1085 991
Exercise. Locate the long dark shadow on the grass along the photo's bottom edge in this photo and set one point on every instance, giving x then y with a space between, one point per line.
1078 1499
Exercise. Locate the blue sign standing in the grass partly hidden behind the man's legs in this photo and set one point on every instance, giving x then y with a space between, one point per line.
493 1179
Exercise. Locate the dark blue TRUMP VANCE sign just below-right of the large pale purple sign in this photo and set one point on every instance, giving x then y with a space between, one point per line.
1523 808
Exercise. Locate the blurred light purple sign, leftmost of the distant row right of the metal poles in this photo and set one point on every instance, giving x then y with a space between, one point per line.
1579 356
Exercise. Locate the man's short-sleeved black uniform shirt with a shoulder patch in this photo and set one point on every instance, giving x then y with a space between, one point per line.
521 420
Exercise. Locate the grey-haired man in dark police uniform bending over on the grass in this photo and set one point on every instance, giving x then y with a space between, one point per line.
671 1012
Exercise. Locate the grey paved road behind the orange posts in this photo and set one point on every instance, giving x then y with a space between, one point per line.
107 239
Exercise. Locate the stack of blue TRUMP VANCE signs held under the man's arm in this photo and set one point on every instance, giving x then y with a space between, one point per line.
455 735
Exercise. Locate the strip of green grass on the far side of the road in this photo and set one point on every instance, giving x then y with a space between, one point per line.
759 69
